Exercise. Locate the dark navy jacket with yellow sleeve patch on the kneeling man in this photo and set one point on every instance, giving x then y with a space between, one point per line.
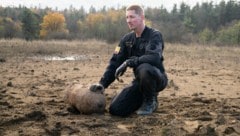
148 48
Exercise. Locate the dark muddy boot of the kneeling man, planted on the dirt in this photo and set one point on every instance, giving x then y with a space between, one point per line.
149 106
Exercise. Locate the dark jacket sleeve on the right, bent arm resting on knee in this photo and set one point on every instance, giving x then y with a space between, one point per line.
153 50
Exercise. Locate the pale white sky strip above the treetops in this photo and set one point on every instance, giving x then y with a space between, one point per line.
63 4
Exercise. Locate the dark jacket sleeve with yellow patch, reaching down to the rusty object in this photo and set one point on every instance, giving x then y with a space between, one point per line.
116 60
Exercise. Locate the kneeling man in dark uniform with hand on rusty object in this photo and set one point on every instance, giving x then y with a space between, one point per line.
140 50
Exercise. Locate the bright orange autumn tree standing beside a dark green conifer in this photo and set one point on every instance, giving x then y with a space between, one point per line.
53 26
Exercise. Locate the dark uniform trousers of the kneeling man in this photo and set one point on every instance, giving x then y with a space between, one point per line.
148 82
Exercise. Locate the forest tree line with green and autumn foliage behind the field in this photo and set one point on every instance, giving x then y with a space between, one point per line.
203 23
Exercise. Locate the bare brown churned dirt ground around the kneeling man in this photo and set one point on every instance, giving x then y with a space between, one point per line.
202 97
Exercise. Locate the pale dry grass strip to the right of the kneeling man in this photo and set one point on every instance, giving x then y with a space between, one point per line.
196 52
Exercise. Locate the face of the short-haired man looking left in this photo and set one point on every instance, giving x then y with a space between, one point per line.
133 20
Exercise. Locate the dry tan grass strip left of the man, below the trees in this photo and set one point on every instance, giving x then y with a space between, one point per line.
18 47
